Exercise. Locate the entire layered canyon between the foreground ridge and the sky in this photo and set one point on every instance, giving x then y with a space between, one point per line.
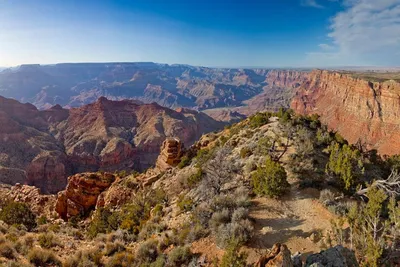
42 146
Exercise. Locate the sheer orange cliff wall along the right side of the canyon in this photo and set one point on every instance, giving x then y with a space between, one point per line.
358 109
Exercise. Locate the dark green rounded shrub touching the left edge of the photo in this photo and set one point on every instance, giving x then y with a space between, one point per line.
16 213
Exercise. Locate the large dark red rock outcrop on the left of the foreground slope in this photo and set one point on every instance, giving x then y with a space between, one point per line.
82 193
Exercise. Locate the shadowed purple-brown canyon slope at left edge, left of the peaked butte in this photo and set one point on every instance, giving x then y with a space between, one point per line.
28 153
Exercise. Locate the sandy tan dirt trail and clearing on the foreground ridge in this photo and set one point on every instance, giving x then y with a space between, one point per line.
289 220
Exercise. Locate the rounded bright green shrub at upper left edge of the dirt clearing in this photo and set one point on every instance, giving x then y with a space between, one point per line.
270 180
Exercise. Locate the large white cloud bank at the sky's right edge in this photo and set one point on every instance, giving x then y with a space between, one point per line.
367 30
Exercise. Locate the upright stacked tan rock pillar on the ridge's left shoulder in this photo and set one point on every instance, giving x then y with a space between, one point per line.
171 153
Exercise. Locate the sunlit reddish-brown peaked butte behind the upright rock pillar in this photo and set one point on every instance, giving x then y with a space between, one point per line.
125 135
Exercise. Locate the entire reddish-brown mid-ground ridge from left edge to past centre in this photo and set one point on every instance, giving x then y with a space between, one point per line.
42 148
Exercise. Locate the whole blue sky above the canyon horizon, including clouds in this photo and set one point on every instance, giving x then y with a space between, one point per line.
215 33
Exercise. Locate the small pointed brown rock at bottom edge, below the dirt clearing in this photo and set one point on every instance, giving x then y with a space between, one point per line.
279 256
